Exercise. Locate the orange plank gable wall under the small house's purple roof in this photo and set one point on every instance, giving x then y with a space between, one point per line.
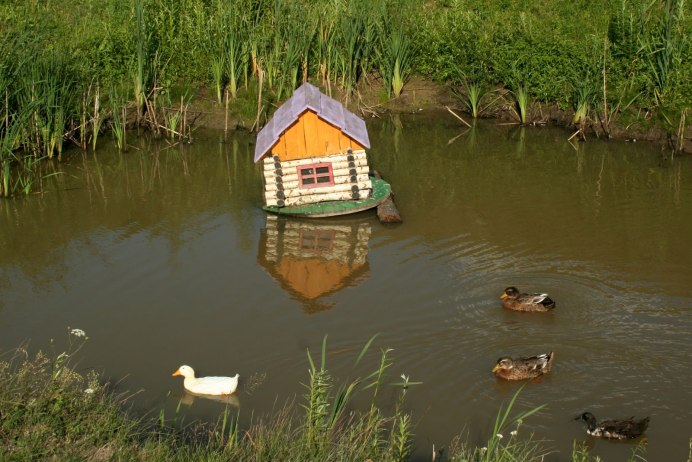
311 136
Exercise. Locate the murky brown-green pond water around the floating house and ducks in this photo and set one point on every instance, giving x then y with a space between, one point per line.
164 257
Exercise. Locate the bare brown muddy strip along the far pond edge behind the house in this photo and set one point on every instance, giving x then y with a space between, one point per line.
425 95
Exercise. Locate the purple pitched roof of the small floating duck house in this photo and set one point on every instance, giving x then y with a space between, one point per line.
309 97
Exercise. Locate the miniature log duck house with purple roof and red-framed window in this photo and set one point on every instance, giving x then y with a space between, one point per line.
313 150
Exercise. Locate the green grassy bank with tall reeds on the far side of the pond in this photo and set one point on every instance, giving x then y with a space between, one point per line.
73 73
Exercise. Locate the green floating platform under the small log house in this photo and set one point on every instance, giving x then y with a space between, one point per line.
381 190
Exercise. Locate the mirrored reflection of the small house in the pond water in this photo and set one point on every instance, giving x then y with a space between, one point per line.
314 259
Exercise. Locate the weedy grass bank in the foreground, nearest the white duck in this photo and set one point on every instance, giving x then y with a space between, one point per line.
49 410
